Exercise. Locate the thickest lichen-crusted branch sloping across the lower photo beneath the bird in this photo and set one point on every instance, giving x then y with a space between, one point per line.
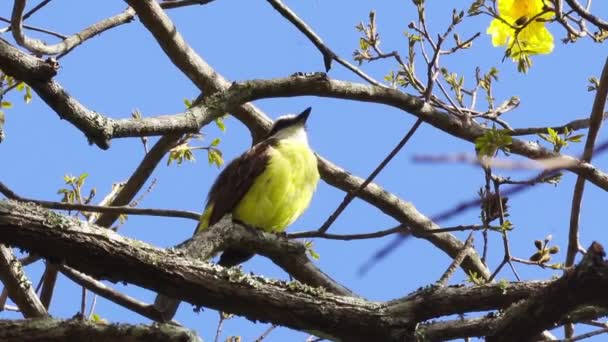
107 255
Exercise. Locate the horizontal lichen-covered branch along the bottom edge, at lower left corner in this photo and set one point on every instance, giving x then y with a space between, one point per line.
47 329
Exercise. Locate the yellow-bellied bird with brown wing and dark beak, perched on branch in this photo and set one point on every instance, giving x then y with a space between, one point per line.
267 187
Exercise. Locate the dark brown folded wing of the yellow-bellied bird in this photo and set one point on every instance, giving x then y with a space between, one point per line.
234 181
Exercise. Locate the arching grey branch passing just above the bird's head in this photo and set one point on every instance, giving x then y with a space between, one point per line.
320 86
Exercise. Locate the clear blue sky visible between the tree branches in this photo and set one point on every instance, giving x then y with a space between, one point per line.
124 69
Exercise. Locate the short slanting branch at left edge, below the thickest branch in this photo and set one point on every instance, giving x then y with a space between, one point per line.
19 288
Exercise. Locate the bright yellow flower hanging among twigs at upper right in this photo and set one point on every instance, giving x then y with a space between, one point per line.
521 28
